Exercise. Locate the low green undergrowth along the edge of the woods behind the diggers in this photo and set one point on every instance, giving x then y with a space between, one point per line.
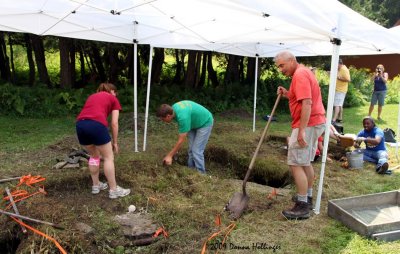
41 101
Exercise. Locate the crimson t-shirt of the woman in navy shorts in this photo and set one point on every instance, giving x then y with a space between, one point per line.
98 107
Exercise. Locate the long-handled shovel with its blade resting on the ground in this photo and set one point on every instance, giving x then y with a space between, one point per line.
240 200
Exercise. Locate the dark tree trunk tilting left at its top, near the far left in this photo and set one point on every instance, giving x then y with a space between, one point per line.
37 45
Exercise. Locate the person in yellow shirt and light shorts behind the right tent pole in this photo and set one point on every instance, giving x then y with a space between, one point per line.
342 85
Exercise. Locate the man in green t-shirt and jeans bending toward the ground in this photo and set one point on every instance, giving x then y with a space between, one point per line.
195 122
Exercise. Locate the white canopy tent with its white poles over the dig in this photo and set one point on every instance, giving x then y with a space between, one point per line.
256 28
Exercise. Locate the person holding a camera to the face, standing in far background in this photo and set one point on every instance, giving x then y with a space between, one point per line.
378 96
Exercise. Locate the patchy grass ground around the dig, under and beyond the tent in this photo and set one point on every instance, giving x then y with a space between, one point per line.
183 201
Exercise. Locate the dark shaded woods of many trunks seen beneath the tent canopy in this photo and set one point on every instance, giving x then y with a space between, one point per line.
82 62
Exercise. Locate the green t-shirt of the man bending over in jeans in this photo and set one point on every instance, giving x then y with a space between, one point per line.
190 115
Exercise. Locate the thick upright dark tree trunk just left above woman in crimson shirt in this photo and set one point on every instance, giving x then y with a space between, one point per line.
66 61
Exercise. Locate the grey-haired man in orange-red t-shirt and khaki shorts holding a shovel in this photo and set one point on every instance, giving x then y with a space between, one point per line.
308 123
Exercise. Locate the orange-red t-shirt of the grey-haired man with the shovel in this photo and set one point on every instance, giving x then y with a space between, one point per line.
304 85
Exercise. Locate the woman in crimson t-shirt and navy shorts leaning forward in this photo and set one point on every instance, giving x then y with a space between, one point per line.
91 127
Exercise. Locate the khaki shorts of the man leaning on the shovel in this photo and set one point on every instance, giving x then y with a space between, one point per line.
298 156
